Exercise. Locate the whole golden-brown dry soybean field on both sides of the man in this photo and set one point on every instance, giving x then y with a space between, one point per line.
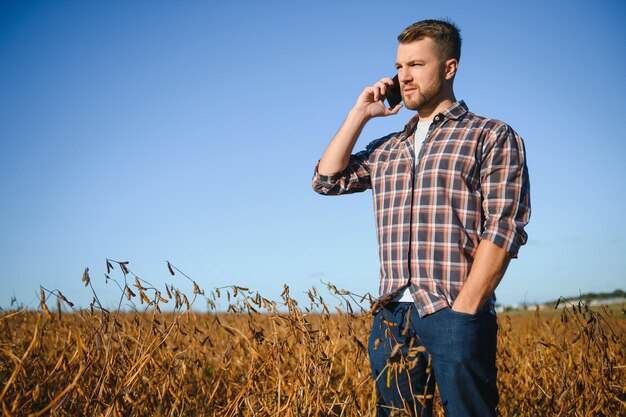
272 358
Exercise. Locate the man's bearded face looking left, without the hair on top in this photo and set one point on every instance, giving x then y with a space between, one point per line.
421 72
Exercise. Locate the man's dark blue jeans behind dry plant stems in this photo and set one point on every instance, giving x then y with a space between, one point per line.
457 351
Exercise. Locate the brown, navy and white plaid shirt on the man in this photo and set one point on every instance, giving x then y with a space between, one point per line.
470 183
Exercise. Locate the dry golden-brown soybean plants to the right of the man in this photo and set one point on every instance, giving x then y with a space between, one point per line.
570 365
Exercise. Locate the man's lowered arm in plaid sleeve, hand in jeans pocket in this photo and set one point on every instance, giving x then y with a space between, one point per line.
506 205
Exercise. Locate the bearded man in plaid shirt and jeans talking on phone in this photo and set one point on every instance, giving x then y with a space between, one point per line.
451 199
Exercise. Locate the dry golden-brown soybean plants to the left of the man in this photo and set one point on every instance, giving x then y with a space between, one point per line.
259 357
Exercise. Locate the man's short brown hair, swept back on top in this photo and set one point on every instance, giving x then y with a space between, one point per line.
444 34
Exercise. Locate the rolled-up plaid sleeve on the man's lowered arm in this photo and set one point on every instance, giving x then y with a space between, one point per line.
506 190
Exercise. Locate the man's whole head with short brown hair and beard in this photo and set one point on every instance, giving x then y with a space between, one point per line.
427 60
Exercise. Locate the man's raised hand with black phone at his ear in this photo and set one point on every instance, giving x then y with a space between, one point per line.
371 99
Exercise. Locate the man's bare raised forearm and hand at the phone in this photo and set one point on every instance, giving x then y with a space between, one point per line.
336 157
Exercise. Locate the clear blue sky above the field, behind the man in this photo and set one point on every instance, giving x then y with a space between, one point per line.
188 131
